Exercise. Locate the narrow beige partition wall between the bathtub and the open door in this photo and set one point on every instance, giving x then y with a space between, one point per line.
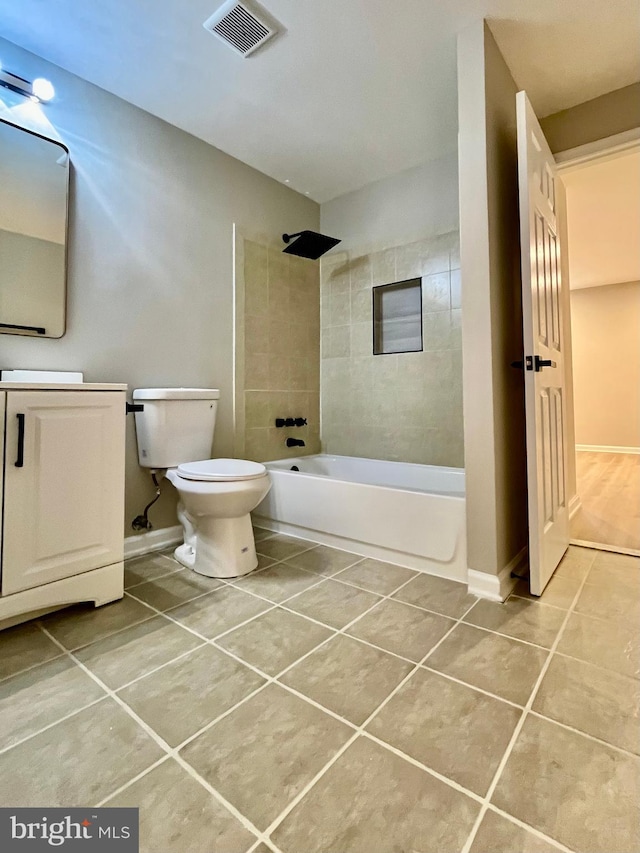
494 432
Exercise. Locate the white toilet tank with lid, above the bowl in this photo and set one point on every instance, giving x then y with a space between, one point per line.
176 425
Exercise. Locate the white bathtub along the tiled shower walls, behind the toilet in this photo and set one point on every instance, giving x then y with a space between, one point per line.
412 515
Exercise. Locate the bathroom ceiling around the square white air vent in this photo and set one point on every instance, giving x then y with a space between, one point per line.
353 91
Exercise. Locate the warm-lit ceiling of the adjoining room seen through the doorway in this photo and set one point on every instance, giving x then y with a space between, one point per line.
603 206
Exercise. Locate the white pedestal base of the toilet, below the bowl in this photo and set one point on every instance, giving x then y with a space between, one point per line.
223 547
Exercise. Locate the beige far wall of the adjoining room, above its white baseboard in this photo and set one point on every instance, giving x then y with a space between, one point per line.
606 364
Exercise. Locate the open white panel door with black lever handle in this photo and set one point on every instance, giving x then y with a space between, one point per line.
545 398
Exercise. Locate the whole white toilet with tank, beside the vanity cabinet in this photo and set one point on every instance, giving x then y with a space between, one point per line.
175 433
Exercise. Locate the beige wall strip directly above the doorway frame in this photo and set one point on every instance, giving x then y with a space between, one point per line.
615 112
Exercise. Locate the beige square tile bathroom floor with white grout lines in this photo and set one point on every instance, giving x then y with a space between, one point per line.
333 704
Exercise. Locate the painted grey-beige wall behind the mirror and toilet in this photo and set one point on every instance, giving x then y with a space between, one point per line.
150 296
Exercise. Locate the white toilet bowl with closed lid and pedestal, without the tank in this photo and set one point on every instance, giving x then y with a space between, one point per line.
216 498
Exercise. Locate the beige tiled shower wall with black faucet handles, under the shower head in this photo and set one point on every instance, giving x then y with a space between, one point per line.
278 352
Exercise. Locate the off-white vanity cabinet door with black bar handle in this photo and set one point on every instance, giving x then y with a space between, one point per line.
64 485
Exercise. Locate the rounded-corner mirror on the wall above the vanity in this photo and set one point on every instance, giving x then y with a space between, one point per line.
34 189
